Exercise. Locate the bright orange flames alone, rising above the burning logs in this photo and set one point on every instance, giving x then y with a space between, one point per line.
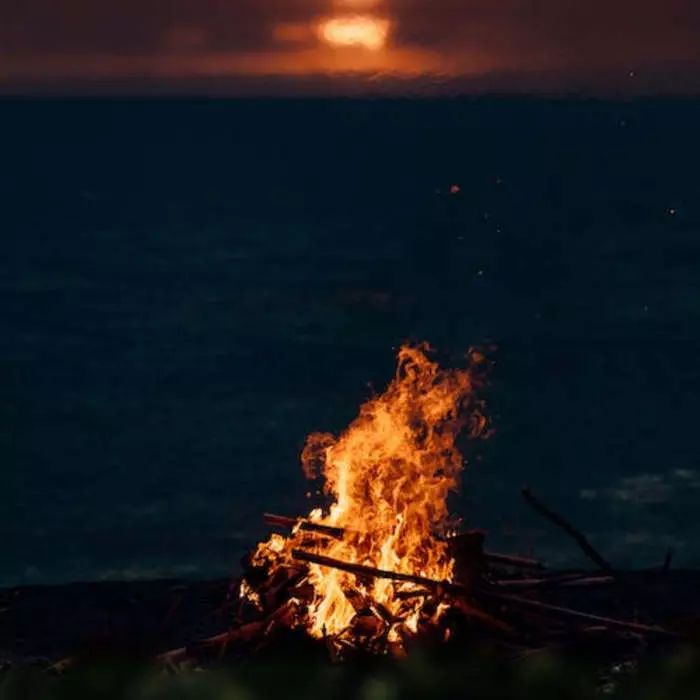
388 477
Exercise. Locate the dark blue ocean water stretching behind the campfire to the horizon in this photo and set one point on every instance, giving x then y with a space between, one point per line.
189 288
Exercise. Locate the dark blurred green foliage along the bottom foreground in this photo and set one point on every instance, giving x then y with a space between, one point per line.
540 676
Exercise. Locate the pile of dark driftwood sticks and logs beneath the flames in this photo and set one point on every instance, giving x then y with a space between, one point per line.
507 603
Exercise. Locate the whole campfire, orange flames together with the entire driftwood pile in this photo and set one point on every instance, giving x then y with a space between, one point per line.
384 566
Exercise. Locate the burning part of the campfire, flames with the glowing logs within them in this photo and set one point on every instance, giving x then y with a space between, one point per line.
365 566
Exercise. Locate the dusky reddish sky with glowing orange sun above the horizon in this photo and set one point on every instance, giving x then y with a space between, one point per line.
327 46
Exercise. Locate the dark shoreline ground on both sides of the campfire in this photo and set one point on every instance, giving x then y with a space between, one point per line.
48 623
